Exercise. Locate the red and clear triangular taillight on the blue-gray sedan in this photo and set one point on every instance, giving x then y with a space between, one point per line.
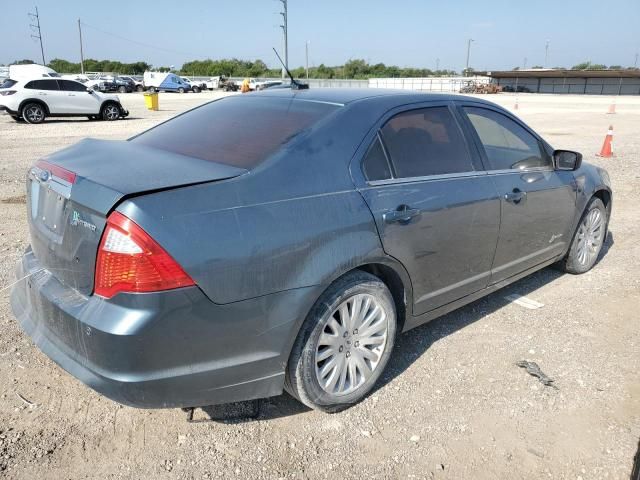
129 260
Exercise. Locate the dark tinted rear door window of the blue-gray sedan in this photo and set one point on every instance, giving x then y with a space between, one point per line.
426 142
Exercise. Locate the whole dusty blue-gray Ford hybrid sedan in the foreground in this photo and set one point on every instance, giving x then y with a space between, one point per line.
282 240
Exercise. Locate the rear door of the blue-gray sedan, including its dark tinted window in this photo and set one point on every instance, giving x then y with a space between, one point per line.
435 209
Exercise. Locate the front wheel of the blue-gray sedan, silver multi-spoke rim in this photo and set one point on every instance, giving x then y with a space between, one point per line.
587 240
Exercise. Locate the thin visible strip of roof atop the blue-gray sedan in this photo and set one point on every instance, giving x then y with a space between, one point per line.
344 96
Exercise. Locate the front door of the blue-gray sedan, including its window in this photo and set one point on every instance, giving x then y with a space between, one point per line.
537 202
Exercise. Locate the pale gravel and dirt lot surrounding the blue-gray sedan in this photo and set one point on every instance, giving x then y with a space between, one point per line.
452 404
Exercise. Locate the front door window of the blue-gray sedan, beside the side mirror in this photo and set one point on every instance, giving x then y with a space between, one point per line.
506 144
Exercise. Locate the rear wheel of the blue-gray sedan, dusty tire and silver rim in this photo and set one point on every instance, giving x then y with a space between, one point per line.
344 344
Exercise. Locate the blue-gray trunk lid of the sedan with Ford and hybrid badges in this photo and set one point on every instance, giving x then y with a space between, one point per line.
70 194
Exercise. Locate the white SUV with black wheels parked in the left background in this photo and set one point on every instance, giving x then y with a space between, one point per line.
34 100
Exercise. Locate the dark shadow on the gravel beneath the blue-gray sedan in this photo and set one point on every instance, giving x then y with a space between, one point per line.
409 347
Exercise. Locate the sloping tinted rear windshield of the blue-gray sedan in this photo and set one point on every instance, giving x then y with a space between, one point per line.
236 131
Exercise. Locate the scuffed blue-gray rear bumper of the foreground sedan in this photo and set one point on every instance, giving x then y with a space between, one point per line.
170 349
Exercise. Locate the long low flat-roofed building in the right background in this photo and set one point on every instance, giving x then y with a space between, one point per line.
591 82
